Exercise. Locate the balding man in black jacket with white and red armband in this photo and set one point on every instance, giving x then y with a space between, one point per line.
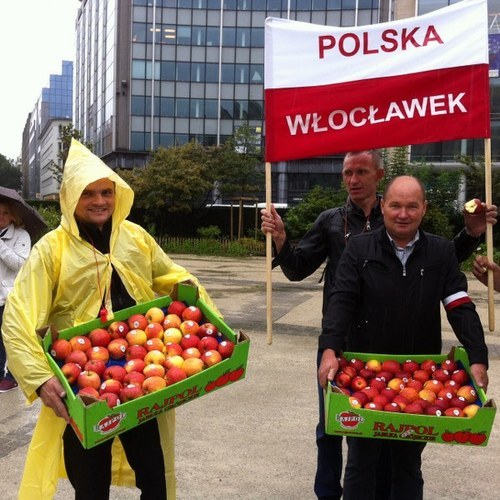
386 299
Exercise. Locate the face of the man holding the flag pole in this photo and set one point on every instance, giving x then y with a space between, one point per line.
361 177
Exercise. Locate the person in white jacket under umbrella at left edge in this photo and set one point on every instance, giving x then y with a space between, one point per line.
15 244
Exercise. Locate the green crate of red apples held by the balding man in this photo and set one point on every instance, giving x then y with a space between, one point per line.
400 397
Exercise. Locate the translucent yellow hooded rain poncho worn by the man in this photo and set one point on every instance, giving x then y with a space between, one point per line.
59 285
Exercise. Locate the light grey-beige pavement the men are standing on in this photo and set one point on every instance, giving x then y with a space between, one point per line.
255 440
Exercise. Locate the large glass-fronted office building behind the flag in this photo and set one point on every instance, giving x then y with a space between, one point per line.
152 73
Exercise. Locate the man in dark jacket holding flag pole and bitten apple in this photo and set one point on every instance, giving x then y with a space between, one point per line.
325 241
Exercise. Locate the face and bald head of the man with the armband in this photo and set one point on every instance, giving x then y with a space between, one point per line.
403 209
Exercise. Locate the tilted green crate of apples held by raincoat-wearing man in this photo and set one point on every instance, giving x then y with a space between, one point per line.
149 358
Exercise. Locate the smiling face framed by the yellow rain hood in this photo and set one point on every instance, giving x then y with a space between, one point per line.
97 203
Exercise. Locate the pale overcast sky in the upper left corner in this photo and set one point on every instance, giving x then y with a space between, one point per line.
35 37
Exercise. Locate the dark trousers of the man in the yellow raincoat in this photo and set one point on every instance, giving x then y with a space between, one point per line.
89 471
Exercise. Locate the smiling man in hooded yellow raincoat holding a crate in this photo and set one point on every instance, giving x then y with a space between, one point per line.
95 262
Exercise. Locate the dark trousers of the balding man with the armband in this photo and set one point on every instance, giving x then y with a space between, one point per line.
363 459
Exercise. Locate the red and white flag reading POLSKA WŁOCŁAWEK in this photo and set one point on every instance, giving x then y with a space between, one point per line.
330 90
